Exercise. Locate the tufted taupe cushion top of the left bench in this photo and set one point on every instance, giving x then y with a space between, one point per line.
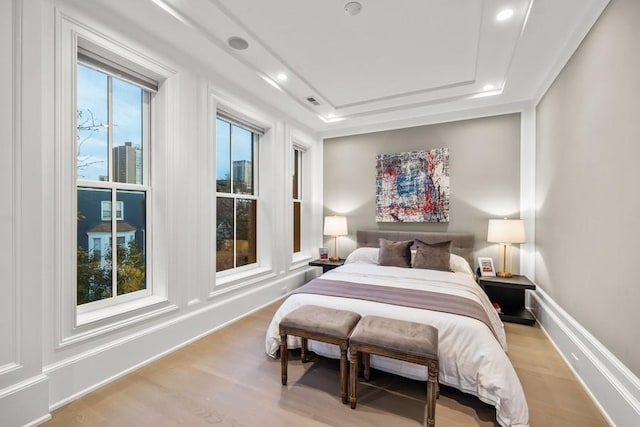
321 320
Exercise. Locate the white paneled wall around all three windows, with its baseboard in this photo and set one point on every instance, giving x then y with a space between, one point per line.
39 369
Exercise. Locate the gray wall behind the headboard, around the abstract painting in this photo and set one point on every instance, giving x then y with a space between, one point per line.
484 175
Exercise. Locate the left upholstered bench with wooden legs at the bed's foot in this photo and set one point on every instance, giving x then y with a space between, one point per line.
321 324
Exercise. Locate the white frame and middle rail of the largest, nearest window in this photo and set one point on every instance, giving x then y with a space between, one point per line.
74 324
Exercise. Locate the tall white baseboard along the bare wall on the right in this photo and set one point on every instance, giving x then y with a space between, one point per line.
612 386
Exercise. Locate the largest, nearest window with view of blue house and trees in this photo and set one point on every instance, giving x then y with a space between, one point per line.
112 169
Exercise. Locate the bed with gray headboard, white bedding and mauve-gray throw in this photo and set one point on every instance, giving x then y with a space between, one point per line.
472 346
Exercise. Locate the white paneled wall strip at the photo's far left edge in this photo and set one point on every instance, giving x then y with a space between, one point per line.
23 388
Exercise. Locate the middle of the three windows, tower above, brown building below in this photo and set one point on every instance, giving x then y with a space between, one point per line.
236 194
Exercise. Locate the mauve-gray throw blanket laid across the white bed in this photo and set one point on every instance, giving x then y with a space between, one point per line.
415 298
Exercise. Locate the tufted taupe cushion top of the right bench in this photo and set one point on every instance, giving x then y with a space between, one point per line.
398 335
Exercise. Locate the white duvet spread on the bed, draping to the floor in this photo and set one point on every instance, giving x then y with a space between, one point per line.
472 359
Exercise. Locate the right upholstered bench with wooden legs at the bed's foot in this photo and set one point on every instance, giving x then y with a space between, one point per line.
398 339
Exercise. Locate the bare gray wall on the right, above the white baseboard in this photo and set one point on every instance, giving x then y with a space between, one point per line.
588 184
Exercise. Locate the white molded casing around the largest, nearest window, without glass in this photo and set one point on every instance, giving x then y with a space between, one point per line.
70 327
